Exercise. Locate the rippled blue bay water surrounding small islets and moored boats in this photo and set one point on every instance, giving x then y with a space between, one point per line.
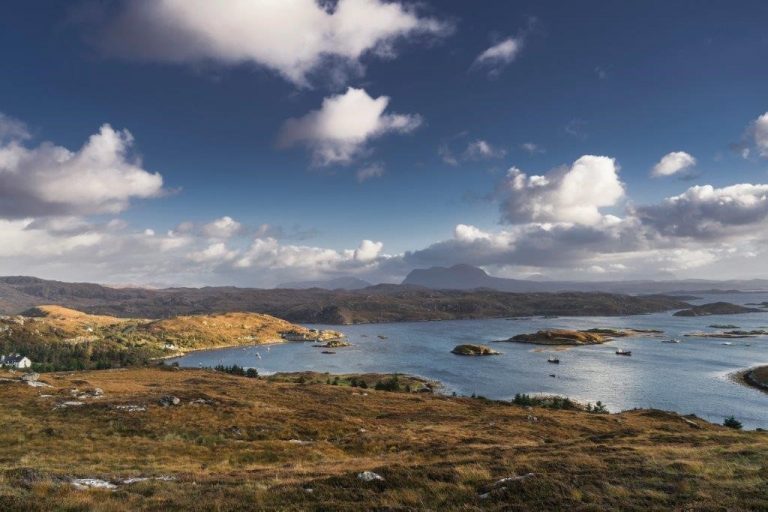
689 377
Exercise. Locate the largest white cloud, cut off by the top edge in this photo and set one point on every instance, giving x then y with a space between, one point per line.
291 37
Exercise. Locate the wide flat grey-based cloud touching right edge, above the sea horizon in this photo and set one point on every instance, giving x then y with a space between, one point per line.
707 212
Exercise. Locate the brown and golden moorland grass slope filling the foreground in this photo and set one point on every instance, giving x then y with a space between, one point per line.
235 443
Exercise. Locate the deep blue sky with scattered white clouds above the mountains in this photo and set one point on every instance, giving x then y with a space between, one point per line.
255 142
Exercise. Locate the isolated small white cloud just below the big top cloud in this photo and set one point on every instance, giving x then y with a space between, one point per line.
338 132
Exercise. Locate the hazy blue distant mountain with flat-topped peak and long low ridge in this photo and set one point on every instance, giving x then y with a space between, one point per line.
467 277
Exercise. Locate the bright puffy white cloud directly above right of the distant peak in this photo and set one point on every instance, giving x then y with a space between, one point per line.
570 194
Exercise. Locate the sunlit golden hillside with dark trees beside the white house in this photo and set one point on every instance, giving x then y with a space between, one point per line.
57 338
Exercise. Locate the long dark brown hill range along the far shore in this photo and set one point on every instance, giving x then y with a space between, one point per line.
380 303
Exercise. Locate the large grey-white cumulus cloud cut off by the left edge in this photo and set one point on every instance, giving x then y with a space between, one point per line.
100 177
